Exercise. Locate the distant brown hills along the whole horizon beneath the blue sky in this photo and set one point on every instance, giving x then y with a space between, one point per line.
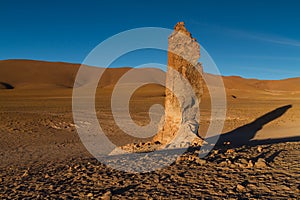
31 74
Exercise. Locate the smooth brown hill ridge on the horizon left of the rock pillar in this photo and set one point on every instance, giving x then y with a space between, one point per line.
29 74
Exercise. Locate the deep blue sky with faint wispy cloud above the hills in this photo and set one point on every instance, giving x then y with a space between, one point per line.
253 39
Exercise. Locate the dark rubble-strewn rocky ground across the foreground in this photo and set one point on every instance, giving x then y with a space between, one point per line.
264 172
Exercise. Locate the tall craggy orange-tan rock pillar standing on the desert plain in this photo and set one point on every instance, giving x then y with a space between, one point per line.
184 84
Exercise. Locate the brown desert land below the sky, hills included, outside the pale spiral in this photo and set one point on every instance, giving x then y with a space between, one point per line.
43 157
